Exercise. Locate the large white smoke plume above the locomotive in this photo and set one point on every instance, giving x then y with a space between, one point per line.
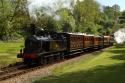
49 7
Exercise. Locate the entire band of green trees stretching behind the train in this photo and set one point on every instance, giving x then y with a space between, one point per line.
86 16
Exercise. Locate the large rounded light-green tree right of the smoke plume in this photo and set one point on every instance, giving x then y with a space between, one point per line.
87 15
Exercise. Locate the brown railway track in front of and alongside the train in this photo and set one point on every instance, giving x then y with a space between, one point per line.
16 70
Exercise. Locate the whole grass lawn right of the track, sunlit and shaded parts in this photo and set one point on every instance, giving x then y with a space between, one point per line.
101 67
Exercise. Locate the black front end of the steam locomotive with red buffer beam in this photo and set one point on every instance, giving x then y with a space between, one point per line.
33 46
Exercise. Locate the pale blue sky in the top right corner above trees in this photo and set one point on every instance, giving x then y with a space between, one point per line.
121 3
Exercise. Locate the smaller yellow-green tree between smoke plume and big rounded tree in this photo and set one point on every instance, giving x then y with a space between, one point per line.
67 21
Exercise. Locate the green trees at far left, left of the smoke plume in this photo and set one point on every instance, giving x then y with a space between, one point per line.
14 15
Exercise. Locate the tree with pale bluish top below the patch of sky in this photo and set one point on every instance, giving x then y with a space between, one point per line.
110 18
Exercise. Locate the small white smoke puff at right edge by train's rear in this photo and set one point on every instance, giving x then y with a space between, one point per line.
120 36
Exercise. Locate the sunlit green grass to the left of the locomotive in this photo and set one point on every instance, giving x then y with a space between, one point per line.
8 51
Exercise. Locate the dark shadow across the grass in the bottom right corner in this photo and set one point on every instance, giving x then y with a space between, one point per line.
101 74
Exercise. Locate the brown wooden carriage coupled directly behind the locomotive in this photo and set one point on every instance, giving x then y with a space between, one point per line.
74 42
